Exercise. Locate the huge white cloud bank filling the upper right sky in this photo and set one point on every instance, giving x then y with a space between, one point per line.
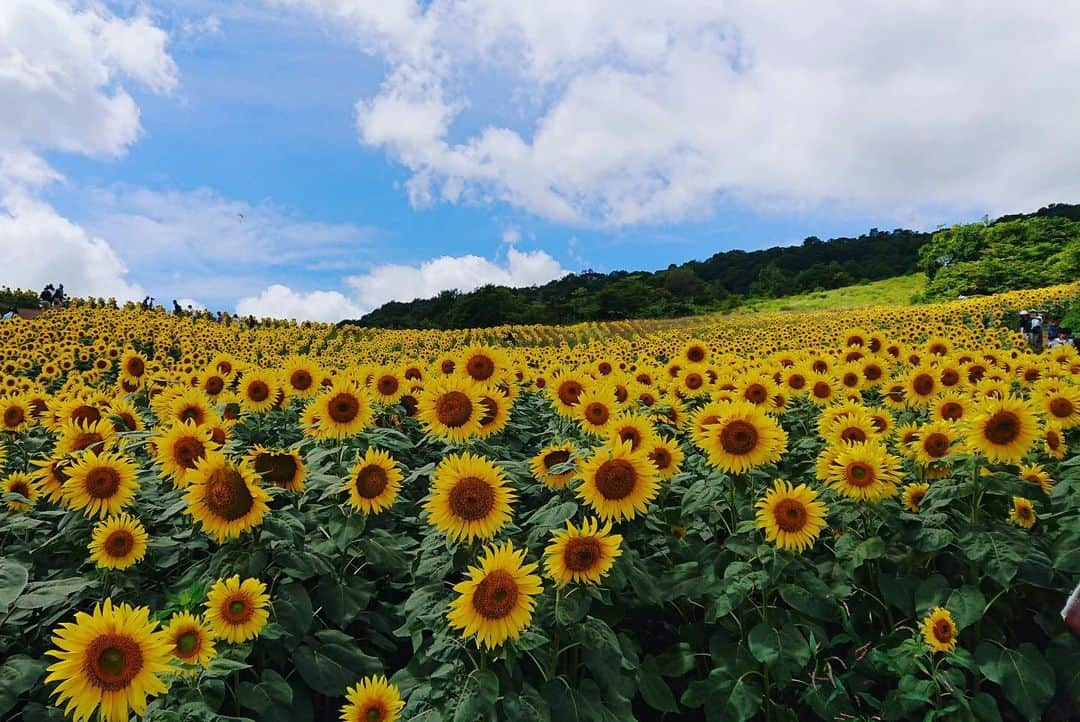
646 112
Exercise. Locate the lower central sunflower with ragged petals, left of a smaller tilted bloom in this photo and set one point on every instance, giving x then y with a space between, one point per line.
496 603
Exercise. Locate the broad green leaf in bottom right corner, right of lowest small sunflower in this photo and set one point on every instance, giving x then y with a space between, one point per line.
1024 676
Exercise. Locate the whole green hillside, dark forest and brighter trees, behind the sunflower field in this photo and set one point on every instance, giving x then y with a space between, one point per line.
964 260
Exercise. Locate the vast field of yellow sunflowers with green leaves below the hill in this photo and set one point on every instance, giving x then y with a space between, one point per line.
848 515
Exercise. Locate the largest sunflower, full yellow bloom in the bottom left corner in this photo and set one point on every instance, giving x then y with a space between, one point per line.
112 659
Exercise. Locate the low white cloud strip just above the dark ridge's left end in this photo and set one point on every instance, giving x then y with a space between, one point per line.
394 282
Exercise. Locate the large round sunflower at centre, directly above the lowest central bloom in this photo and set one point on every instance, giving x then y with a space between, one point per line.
470 498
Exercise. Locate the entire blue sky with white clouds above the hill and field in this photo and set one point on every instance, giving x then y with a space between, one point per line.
315 159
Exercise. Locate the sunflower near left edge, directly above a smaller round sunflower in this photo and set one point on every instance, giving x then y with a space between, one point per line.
101 484
